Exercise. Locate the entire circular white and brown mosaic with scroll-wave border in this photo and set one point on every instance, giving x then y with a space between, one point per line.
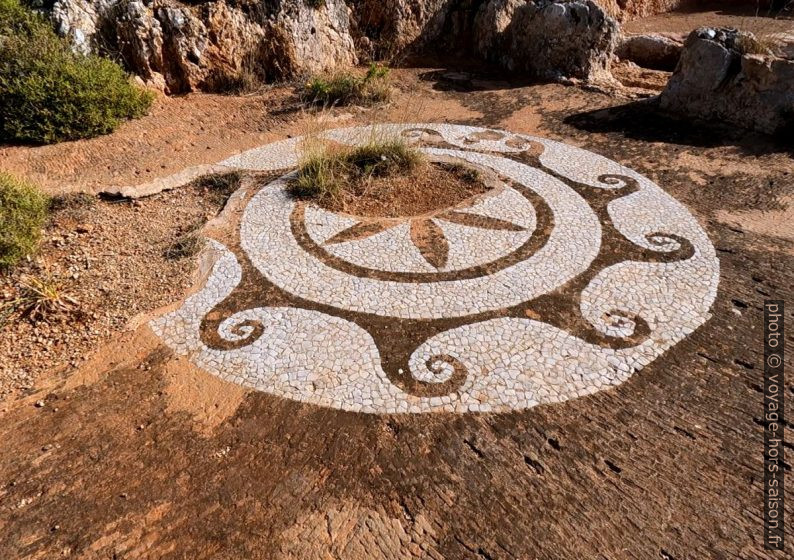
568 275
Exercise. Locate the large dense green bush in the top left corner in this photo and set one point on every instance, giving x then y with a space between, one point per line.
49 93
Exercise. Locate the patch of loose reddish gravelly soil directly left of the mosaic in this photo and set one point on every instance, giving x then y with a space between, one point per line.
111 257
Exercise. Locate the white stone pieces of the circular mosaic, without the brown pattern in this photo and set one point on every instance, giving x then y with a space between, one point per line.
511 362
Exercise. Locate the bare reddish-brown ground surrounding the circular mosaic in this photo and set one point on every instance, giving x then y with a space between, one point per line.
134 453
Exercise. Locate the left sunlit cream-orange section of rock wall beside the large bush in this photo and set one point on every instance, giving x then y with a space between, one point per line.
183 47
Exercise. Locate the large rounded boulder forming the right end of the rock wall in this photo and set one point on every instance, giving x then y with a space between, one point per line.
548 39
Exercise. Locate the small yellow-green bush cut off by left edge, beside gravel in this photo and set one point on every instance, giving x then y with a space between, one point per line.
23 210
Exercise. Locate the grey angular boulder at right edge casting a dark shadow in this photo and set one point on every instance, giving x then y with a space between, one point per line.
727 75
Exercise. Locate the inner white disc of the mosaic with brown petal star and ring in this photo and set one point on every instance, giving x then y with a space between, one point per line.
495 259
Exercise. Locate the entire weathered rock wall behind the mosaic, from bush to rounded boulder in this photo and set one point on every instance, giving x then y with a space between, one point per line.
181 46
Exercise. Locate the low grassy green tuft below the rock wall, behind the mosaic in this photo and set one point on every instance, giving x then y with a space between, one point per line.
346 87
